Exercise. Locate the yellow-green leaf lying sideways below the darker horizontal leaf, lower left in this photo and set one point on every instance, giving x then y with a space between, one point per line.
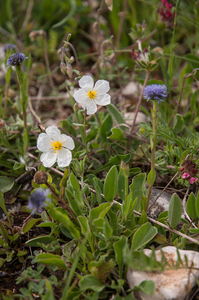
52 260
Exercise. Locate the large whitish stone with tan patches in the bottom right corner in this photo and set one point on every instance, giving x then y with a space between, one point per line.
170 284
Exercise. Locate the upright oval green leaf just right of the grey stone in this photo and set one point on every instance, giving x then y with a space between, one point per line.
175 210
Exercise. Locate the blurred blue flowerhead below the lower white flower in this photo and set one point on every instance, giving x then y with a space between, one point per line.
37 200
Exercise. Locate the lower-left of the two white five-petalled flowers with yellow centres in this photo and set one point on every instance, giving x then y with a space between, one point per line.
55 147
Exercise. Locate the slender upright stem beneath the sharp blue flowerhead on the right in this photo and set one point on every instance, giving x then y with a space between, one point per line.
153 147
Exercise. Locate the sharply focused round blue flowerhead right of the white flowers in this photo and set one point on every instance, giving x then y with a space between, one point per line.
155 92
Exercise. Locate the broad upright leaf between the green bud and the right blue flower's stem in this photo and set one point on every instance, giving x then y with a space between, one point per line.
137 188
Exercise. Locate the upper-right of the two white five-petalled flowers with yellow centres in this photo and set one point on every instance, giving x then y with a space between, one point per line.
90 95
